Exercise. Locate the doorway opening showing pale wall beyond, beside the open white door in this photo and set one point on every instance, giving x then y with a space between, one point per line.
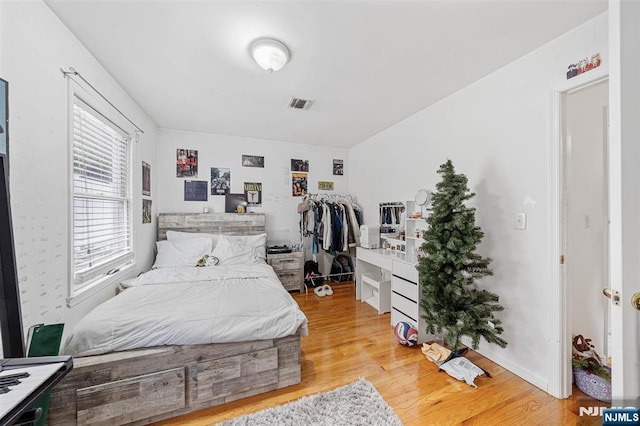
585 213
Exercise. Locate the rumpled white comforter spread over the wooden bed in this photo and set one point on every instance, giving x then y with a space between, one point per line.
188 305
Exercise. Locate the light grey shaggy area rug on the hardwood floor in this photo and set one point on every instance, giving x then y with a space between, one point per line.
357 403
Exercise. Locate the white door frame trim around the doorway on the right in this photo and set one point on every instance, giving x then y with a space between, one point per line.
559 378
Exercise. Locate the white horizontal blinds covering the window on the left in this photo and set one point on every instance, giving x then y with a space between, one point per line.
101 195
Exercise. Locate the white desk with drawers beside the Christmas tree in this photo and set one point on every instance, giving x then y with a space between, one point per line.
388 281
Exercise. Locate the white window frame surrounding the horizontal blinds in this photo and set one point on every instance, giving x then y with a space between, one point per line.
115 269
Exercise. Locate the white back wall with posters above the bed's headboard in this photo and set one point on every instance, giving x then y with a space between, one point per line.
226 151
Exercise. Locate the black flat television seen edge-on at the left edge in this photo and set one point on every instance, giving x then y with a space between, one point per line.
10 313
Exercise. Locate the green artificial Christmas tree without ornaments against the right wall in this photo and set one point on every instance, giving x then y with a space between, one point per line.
451 303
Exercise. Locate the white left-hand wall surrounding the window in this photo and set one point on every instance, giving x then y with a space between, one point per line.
35 45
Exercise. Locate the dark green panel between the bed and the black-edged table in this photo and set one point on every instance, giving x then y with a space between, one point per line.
44 340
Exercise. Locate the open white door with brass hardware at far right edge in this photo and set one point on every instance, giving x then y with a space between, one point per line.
624 164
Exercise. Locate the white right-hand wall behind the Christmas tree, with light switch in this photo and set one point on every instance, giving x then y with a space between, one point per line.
497 132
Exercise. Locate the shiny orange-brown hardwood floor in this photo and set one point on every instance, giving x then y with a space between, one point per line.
348 339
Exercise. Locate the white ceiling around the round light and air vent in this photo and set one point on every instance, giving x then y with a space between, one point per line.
366 64
